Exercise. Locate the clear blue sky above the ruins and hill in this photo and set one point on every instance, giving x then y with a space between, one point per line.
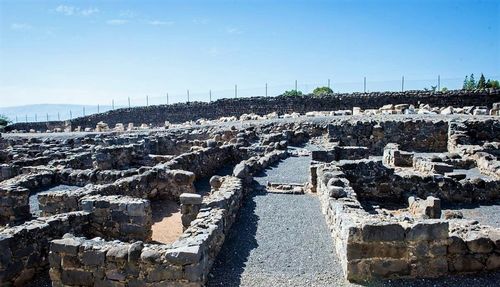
88 52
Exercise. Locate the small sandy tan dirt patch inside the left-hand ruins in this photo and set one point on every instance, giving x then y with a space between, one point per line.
167 225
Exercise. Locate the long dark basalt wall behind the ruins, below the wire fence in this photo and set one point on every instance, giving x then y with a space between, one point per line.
178 113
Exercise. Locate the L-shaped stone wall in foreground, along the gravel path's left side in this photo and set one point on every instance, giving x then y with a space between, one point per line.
76 261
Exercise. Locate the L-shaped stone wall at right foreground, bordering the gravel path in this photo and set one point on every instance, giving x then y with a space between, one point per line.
372 245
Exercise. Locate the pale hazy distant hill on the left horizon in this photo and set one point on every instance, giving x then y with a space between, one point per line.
54 111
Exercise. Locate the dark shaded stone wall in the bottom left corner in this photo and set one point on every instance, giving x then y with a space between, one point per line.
24 249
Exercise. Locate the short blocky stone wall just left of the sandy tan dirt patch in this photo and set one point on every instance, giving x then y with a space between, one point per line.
119 217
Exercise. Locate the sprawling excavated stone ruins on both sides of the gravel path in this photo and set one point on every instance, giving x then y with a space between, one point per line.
89 209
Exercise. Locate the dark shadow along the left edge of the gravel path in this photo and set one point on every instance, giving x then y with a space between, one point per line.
233 256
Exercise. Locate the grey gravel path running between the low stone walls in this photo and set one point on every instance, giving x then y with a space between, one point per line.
278 239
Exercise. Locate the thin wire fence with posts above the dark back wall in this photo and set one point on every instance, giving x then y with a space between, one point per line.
236 91
